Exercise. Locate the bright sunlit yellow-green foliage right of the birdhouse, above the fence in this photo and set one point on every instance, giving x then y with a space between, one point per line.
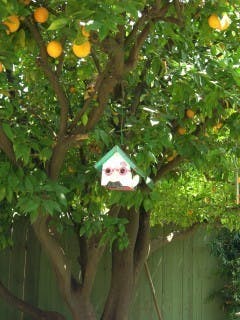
191 196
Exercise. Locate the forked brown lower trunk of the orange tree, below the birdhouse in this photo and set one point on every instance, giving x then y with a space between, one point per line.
125 265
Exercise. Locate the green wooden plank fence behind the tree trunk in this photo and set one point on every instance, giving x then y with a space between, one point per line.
183 273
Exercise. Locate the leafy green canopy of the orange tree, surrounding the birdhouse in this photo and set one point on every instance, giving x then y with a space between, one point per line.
179 67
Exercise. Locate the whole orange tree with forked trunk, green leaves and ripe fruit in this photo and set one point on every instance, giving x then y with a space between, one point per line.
161 78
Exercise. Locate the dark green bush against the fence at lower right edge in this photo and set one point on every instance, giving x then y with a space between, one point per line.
226 247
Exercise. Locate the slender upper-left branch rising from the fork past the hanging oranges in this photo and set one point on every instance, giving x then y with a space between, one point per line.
52 77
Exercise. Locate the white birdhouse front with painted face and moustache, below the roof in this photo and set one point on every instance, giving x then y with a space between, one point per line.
117 175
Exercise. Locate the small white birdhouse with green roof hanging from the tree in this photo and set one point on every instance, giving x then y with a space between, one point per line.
118 170
